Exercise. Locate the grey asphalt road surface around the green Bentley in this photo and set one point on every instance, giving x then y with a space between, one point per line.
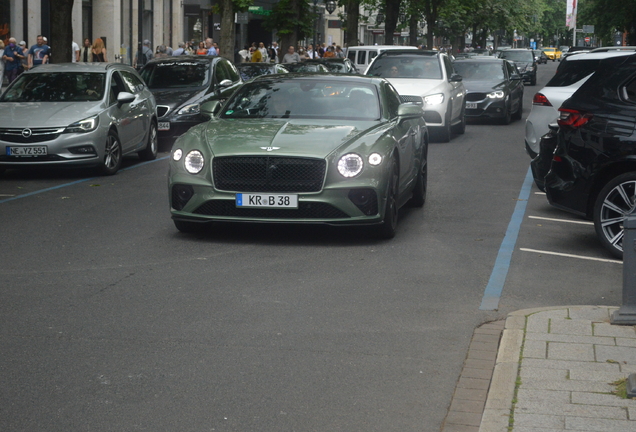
112 320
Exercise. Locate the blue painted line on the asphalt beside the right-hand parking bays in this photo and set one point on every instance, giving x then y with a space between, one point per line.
492 293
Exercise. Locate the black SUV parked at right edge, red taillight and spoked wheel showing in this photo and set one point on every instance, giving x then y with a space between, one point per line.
593 170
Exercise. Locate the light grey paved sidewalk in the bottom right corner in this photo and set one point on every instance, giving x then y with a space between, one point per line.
553 372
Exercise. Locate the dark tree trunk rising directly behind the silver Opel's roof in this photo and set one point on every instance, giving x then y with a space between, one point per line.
61 37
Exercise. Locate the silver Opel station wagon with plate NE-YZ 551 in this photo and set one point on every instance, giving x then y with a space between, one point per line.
77 115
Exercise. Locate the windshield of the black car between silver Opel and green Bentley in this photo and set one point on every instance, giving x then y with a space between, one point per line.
177 74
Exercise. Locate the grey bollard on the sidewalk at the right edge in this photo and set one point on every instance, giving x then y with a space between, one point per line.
626 314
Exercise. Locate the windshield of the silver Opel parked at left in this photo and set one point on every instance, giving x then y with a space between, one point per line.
56 87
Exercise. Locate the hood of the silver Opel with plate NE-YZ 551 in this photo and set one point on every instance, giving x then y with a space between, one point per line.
45 114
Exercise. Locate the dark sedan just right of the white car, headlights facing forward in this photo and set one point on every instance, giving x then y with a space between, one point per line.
494 88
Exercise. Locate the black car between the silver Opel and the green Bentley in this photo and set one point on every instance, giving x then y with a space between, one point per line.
181 84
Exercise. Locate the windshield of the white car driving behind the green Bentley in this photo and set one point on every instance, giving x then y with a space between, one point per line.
406 67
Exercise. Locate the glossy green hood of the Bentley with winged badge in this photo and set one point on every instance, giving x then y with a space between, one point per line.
289 137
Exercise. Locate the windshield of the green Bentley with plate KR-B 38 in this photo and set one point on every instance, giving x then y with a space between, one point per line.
311 99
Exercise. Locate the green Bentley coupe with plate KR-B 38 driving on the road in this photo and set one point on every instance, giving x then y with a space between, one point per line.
301 148
